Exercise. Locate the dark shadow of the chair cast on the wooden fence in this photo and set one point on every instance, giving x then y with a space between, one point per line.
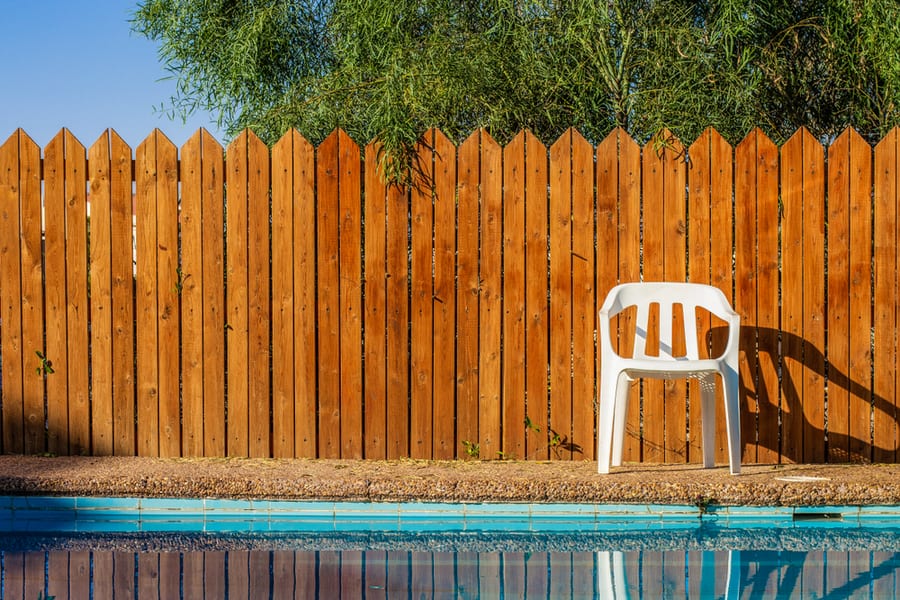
776 347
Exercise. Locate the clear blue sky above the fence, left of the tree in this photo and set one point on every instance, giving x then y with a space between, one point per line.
76 64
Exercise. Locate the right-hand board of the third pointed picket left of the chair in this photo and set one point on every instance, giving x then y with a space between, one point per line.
490 301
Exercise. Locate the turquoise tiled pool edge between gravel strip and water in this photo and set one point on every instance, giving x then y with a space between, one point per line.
27 514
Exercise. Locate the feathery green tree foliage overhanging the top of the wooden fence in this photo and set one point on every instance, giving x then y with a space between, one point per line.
392 68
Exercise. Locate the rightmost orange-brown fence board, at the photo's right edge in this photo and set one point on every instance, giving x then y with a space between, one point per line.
884 353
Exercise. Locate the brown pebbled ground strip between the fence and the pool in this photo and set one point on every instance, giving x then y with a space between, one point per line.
451 481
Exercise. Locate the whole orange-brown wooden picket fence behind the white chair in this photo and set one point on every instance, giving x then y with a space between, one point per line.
288 303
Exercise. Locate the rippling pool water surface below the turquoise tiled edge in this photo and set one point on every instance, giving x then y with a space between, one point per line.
703 562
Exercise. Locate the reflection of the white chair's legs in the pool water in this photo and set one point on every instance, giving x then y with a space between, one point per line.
612 581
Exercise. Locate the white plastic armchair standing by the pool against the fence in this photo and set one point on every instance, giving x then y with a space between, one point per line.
617 371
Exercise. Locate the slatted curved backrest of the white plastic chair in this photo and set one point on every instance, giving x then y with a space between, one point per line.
666 295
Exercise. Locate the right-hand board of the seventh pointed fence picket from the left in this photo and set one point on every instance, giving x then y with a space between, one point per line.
304 272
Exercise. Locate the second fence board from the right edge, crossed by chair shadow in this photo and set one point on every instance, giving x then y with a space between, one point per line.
860 330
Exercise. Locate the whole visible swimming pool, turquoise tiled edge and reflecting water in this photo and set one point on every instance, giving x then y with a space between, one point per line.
245 549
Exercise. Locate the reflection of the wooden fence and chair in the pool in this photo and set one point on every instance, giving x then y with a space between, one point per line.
282 573
